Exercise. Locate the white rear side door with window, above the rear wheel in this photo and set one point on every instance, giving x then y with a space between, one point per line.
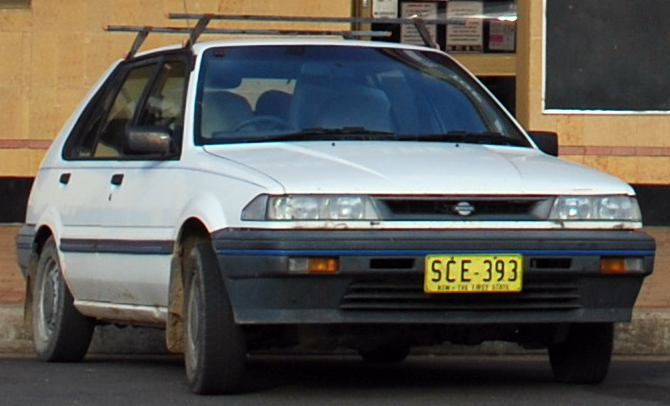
92 155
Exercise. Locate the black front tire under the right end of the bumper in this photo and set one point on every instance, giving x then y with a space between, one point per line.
584 357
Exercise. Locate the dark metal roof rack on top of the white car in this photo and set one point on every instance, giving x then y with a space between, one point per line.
204 19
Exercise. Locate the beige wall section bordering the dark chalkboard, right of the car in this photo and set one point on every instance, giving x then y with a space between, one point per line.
633 147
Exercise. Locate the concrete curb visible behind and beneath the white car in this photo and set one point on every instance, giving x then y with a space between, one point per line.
647 334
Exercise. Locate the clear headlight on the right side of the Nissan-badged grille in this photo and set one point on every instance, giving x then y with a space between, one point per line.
604 208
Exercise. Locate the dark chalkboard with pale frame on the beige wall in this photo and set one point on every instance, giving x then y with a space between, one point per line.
607 55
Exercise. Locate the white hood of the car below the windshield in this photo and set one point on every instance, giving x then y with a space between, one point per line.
417 168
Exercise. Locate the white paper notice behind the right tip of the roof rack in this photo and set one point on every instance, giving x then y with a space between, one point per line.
468 37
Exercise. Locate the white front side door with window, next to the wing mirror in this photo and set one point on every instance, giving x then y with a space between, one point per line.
137 224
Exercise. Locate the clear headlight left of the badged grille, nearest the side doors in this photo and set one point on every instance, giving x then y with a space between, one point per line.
311 207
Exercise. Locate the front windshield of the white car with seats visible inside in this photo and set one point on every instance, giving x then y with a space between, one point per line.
331 92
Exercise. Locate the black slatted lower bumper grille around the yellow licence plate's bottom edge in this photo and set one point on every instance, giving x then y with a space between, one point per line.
406 294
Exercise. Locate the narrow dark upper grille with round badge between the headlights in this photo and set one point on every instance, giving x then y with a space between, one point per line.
479 208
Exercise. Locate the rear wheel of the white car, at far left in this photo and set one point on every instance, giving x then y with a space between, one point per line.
60 332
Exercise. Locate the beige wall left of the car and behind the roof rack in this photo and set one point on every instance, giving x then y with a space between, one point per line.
51 53
